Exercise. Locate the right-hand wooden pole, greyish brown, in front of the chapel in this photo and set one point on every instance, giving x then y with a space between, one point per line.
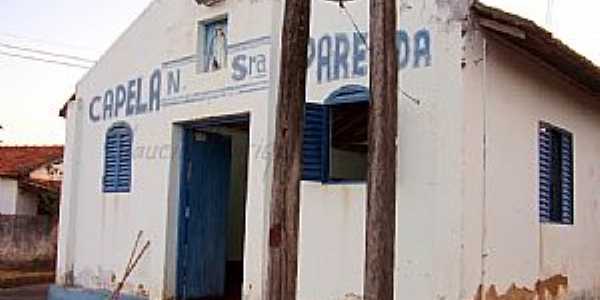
381 184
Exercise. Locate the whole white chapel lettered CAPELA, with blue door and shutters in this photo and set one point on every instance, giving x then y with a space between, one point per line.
171 133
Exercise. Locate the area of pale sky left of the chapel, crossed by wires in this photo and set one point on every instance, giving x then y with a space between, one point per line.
31 93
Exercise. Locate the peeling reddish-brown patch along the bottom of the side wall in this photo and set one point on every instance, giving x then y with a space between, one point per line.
553 288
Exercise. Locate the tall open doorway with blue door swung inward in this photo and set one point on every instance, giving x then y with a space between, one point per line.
213 194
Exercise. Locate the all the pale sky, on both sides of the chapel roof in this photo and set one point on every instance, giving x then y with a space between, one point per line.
31 93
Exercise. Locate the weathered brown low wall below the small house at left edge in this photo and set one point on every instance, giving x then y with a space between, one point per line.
28 242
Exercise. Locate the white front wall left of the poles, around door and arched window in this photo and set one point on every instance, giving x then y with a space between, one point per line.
98 233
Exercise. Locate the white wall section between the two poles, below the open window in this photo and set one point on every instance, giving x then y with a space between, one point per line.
331 241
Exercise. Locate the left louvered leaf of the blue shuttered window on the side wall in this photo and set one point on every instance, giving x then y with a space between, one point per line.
545 165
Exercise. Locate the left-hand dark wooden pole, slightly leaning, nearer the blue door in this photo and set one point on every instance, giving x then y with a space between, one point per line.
287 155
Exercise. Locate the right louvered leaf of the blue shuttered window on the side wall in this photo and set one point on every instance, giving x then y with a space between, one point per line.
566 199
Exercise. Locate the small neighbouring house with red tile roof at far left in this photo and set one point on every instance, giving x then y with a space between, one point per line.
30 179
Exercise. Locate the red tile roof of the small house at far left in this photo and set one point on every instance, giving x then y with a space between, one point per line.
17 161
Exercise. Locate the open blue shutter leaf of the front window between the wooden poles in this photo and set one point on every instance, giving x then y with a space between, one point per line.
315 148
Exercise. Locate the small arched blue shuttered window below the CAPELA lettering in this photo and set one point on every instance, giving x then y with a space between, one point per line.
117 159
